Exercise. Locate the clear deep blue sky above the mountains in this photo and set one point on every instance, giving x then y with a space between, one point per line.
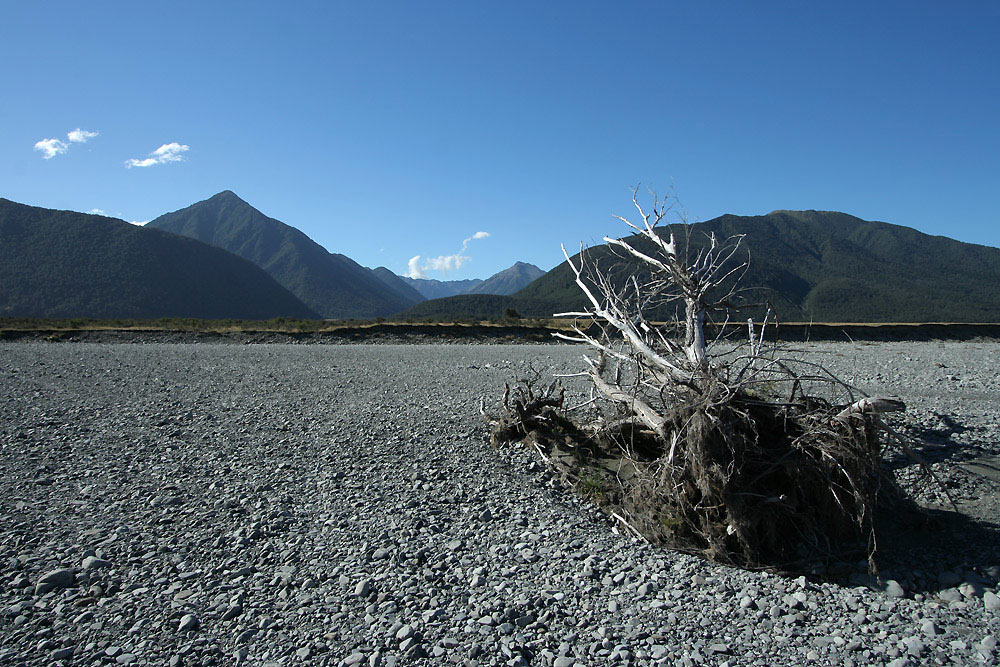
388 130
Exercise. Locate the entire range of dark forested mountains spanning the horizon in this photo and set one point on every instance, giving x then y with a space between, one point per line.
222 258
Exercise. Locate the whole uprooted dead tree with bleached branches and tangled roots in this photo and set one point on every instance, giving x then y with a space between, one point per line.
722 446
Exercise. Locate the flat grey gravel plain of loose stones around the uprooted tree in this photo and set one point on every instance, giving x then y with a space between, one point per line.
223 504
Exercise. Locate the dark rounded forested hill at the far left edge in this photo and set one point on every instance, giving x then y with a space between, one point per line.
69 264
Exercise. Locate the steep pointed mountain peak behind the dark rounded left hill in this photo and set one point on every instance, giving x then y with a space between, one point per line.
333 285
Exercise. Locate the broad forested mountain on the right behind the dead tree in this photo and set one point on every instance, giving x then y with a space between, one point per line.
820 266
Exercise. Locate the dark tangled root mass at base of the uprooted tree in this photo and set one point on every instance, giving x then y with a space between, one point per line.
743 481
